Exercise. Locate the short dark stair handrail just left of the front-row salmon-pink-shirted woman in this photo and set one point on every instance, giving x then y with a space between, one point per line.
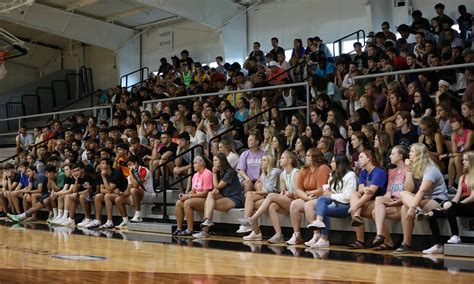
166 184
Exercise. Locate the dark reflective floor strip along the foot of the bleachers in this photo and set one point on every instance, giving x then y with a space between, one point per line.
423 261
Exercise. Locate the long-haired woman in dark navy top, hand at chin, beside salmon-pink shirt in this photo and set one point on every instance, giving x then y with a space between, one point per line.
226 194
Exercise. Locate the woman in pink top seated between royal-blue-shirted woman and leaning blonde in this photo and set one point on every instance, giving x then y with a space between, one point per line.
389 206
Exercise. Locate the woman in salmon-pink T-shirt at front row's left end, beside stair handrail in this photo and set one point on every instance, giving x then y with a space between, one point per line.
201 184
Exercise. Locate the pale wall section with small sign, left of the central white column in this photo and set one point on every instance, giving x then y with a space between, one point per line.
203 44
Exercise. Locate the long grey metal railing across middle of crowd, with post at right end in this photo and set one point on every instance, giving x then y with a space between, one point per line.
199 96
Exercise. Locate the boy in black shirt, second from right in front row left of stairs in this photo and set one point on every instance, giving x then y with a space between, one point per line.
112 184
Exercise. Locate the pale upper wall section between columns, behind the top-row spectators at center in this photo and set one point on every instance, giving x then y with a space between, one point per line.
328 19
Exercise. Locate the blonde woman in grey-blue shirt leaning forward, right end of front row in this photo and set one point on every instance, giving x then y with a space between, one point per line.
424 188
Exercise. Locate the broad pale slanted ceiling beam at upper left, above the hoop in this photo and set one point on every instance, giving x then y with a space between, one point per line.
70 25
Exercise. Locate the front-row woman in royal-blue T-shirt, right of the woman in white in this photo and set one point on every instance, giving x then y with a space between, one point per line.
372 183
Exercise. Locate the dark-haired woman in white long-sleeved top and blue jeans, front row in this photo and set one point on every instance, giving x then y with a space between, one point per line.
335 199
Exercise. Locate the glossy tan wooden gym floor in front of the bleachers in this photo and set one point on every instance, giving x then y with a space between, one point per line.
39 253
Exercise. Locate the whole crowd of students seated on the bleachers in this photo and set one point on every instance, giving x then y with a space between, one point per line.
374 148
